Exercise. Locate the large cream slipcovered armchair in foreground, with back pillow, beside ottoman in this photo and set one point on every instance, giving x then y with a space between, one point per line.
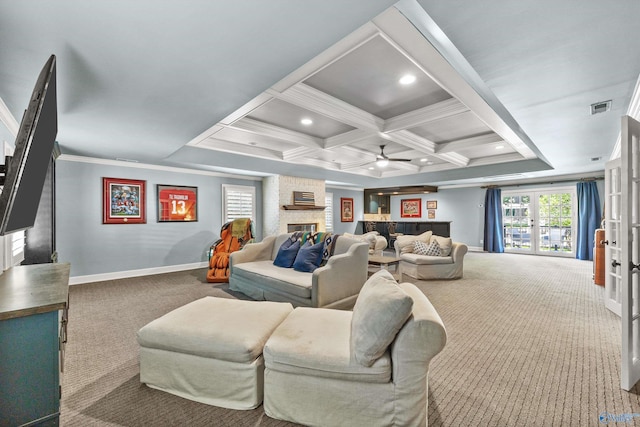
368 367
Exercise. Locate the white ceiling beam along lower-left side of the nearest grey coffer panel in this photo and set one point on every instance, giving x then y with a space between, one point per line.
319 102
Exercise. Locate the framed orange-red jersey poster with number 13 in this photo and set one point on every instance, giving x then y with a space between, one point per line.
177 203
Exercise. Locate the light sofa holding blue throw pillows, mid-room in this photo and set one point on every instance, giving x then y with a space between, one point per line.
334 285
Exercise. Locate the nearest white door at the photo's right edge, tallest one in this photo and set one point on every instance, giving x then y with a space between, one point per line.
629 245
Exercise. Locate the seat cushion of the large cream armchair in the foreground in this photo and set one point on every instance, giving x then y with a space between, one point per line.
316 342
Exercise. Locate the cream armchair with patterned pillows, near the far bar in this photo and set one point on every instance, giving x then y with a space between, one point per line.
425 267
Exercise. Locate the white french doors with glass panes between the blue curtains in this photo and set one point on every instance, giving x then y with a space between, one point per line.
540 221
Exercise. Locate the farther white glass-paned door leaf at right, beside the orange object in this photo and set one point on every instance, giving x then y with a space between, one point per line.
613 276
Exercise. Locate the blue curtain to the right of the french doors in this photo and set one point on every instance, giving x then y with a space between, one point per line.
589 217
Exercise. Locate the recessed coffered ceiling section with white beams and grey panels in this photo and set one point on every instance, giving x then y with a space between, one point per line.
355 106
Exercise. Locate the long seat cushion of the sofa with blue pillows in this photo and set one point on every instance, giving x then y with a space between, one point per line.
285 280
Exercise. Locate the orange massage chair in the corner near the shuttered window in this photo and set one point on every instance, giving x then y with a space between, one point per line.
233 236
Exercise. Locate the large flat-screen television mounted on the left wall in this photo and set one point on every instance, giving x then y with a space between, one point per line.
25 172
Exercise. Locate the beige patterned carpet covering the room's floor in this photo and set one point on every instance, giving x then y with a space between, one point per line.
529 343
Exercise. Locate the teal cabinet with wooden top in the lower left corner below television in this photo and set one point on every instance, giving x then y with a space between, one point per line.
33 318
